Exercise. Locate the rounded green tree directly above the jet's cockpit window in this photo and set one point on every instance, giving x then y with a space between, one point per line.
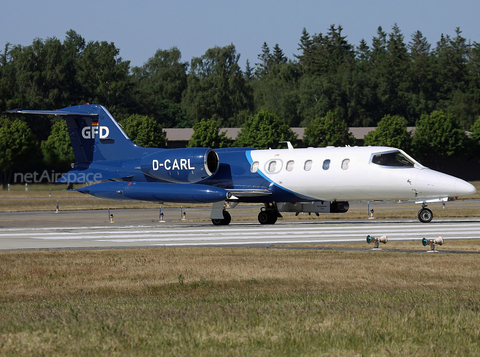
391 131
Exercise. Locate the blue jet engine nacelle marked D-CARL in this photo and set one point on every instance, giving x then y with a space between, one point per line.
189 165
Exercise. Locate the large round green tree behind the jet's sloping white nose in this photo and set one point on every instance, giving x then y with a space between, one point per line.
438 136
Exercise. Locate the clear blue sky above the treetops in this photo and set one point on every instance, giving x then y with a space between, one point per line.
139 28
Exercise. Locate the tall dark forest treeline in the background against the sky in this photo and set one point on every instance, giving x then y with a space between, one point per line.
360 83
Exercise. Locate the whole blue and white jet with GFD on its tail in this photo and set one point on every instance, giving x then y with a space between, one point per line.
312 180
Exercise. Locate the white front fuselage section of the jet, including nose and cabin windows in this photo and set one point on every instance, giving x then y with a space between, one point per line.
355 173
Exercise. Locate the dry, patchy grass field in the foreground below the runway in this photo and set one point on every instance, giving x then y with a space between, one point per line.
238 302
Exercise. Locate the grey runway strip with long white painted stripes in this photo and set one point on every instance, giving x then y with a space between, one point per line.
160 234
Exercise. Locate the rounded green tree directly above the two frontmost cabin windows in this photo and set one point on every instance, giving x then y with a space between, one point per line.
329 130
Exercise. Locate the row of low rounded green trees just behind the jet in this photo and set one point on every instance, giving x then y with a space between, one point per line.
438 136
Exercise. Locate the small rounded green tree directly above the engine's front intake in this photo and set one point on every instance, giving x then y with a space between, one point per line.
206 134
